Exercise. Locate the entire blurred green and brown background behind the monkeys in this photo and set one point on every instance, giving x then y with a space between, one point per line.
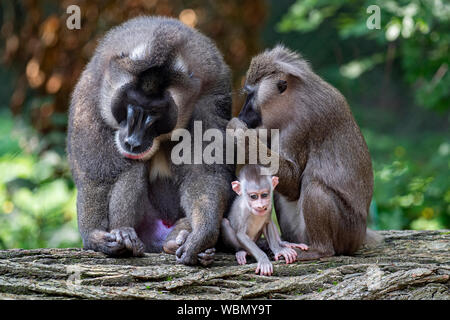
395 78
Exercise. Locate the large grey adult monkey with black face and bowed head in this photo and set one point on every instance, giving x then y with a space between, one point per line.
148 77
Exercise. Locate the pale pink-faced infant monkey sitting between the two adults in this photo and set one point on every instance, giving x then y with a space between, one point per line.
250 216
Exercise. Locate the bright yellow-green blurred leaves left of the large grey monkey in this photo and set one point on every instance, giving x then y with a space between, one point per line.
37 195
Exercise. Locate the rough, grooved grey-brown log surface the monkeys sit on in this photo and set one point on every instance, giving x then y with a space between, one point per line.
407 265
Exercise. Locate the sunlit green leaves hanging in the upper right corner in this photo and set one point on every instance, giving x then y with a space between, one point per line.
413 32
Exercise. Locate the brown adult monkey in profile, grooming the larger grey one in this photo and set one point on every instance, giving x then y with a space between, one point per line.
325 170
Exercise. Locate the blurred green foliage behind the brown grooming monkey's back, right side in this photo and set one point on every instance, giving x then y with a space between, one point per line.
395 79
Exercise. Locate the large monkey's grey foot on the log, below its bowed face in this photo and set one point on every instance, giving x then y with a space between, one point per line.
125 241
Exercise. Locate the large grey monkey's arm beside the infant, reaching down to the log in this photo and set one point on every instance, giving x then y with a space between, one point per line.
204 189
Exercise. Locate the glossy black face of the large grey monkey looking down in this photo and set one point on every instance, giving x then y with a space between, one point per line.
144 111
